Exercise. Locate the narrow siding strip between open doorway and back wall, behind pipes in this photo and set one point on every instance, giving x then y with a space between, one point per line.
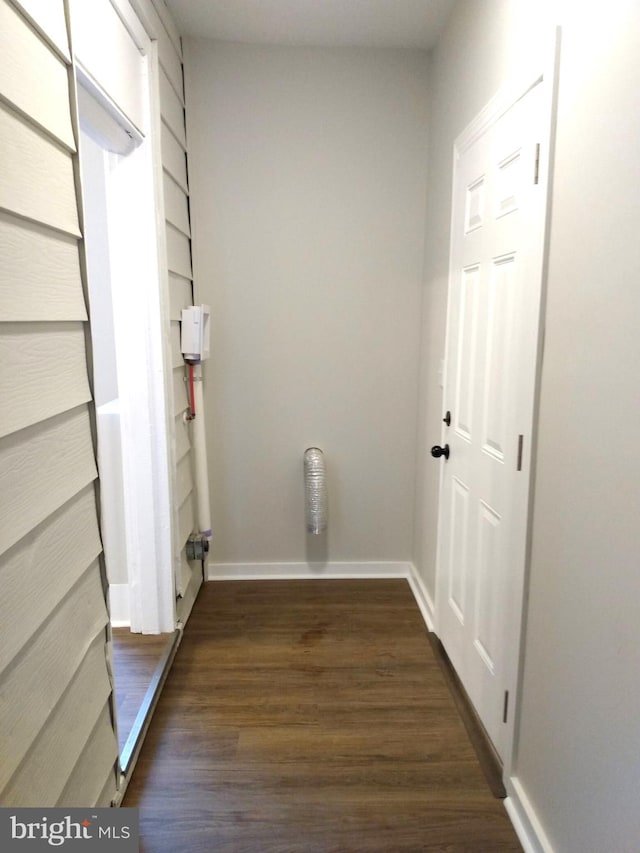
178 242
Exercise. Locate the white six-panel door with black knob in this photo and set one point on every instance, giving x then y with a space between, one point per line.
492 343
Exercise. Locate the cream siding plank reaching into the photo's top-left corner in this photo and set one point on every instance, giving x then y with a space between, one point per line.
32 78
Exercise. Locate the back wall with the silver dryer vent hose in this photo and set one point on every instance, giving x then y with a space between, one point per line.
307 171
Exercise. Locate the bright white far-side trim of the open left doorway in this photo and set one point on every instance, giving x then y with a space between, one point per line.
146 417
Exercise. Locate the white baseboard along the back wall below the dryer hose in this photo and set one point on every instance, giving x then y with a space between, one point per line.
306 571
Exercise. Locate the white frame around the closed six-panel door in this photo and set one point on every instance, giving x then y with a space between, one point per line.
546 73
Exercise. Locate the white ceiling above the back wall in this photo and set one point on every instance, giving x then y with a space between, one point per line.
329 23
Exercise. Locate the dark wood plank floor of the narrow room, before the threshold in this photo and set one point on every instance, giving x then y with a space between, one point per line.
311 716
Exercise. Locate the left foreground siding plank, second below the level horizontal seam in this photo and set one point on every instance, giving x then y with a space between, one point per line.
41 468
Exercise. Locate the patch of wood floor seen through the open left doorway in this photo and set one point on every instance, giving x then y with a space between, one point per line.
135 657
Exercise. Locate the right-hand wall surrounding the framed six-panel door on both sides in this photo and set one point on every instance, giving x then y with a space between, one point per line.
579 737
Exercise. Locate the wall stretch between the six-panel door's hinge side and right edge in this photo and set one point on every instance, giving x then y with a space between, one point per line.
580 736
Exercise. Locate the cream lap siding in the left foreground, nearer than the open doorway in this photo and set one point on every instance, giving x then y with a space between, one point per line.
58 743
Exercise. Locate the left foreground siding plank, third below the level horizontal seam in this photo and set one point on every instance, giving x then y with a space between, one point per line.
40 570
